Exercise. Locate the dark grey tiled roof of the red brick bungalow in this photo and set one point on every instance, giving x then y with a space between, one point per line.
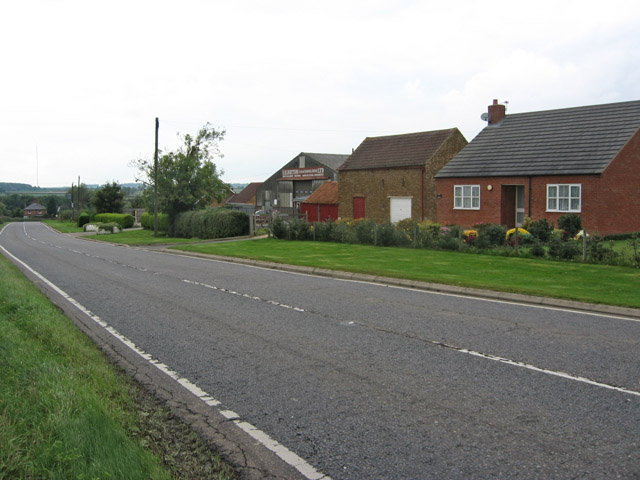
581 140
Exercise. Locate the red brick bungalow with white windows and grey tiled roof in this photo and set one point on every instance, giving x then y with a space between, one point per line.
583 160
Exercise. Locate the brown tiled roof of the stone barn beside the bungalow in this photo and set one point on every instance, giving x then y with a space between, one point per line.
405 150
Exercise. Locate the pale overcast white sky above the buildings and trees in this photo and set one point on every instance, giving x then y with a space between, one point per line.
82 82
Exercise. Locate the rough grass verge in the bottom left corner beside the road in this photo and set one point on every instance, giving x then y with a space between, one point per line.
65 411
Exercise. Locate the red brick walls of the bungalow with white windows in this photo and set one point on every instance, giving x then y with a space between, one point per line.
610 201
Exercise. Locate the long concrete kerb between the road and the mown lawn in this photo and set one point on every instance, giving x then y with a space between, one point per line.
426 286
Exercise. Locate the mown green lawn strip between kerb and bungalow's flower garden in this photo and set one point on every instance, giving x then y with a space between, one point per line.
567 280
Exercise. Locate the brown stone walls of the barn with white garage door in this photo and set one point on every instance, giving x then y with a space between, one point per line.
377 185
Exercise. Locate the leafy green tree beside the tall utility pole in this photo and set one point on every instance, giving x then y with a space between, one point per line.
187 179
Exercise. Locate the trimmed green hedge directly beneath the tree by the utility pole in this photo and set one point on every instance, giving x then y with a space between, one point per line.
211 223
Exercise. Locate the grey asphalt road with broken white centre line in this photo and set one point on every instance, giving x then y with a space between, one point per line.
365 381
